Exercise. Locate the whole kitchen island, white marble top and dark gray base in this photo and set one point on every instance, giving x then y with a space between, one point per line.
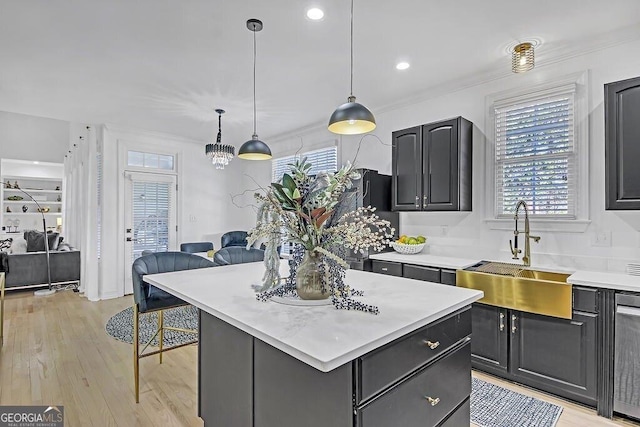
267 364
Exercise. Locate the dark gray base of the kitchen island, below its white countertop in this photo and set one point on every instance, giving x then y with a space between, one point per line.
422 379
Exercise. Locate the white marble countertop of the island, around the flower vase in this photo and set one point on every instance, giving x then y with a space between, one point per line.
320 336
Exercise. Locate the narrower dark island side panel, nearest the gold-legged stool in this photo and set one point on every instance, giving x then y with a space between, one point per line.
225 378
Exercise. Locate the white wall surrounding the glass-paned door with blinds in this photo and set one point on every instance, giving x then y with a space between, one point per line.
205 210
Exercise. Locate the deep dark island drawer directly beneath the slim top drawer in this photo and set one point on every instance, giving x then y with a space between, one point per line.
447 383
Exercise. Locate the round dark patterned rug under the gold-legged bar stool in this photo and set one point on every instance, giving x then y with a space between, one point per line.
120 326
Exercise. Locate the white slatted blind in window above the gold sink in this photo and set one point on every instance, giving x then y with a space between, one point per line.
536 155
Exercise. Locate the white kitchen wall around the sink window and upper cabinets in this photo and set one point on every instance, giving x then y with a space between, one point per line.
467 234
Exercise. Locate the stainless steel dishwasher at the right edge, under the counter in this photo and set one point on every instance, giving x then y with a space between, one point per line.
627 356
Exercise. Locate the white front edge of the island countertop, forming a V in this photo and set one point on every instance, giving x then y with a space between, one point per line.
321 365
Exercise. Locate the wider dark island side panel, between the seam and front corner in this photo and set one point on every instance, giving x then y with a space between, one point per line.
290 393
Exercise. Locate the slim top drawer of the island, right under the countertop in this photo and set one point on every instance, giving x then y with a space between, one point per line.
383 367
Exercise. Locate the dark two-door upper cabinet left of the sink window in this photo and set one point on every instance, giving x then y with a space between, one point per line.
431 167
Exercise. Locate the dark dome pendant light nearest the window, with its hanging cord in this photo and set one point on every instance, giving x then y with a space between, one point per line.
352 118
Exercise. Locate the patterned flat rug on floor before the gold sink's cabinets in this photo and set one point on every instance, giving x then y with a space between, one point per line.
495 406
